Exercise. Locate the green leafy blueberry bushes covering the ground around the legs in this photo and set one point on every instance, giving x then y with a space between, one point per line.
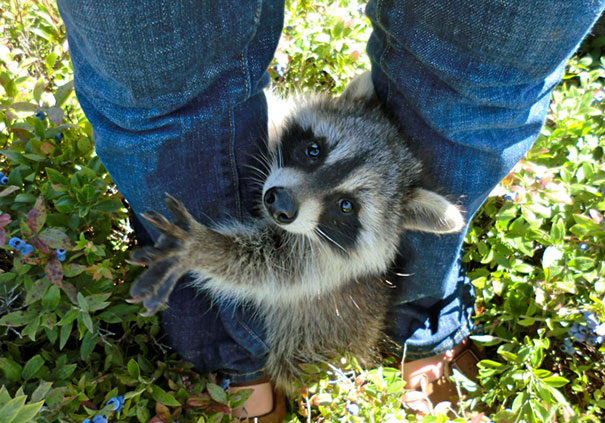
72 349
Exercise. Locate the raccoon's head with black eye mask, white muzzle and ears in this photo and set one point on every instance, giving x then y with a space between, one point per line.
341 175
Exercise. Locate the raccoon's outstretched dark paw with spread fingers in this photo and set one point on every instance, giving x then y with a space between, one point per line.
154 286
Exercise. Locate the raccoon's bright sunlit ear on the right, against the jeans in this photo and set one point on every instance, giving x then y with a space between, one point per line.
427 211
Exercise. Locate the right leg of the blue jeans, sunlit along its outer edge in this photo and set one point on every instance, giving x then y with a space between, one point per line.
469 82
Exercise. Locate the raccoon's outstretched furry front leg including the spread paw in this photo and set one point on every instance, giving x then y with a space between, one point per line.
235 257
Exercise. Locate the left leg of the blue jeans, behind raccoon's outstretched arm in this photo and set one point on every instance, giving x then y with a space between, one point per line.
173 91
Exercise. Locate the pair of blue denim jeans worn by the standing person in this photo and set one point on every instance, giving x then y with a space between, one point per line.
173 91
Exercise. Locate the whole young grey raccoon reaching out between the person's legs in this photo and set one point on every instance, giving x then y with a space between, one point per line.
340 189
